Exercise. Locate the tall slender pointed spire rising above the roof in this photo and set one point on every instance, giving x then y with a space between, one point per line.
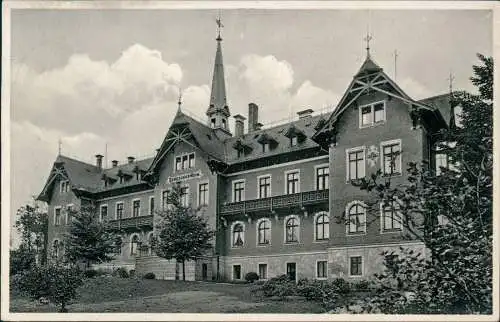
218 94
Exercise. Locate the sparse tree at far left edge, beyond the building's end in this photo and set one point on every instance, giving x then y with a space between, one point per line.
32 224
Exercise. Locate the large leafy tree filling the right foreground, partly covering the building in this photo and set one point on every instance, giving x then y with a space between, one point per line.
451 213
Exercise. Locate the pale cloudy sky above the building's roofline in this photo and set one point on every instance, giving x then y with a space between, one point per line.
96 77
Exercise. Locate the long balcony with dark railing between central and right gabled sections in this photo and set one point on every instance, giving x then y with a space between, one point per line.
268 204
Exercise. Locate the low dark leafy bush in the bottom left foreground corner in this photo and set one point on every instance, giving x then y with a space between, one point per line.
55 282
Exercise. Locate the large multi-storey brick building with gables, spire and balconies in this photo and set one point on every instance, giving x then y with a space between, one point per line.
280 198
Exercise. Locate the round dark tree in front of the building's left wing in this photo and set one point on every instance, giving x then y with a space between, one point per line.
88 239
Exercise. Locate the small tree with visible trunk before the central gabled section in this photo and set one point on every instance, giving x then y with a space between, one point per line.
183 232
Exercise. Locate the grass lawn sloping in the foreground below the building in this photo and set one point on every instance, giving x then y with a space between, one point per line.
113 294
